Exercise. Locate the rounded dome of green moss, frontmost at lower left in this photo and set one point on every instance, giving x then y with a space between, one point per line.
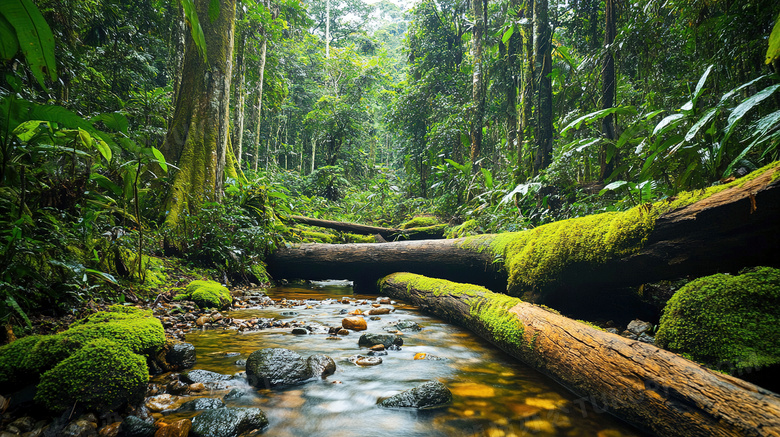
102 375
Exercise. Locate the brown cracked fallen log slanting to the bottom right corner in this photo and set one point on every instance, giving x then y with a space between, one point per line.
652 388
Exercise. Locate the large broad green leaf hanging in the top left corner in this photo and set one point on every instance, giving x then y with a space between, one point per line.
34 37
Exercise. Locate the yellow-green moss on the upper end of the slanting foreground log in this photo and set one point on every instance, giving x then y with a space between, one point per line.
490 310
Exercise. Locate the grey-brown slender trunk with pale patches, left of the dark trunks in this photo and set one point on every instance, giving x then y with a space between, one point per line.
478 81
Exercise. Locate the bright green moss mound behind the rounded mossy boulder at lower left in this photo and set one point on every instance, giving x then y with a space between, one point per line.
132 328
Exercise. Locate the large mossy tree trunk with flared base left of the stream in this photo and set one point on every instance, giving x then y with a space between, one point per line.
197 137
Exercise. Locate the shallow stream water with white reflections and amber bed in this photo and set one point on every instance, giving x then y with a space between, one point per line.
493 394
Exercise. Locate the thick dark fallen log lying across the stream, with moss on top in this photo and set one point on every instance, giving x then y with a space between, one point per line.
721 229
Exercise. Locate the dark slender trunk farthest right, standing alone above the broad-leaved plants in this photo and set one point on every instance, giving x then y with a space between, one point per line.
607 163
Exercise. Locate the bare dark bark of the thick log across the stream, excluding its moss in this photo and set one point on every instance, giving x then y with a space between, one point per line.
733 229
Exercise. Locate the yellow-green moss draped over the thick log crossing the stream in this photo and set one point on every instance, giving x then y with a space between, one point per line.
535 258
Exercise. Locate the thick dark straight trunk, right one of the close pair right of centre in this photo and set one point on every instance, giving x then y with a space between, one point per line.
543 67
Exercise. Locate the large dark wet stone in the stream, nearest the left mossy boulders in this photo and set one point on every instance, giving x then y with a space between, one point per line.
273 367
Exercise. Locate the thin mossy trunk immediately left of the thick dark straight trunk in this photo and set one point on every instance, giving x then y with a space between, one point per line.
527 96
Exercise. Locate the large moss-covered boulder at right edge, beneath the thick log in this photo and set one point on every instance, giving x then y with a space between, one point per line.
726 322
